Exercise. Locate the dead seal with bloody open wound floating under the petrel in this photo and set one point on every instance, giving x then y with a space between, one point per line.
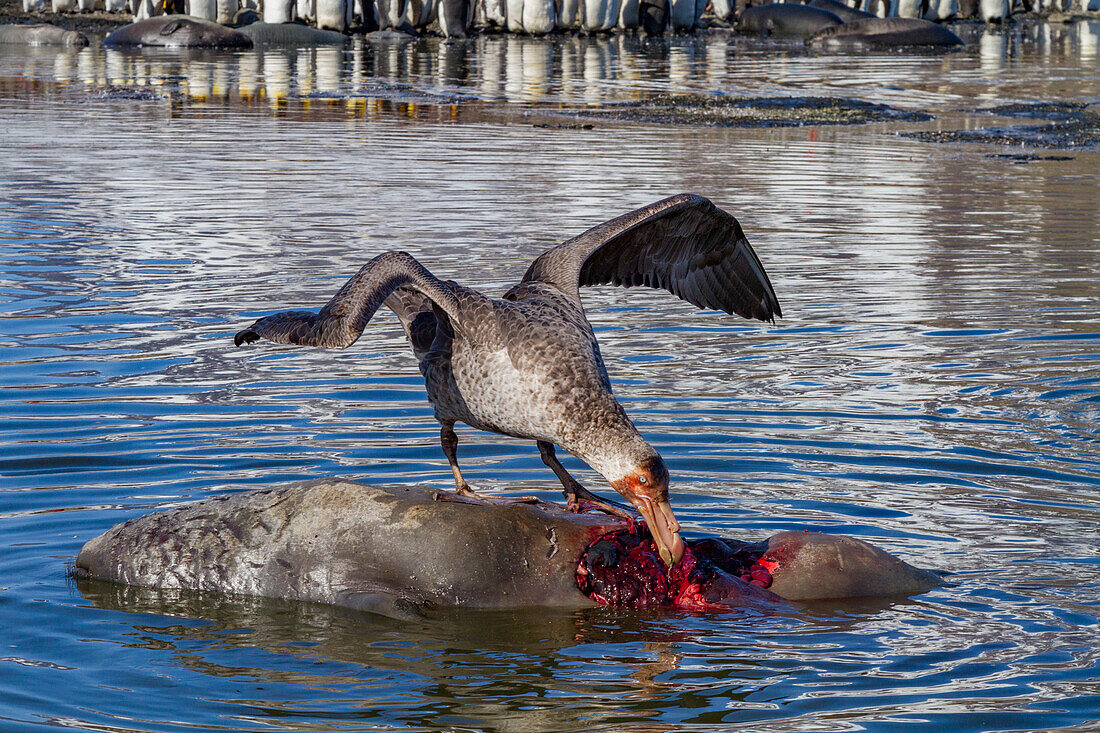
402 551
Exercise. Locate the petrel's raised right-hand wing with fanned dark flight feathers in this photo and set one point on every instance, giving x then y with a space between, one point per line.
685 245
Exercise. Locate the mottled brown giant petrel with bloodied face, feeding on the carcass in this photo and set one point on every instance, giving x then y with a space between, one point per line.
529 365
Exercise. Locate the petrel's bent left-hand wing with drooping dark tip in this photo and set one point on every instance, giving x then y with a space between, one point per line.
343 321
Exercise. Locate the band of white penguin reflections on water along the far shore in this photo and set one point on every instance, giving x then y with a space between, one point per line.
597 70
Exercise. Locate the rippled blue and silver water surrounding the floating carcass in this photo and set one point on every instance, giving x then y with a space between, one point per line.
934 386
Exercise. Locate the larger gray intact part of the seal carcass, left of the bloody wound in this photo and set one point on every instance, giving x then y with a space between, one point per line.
394 551
